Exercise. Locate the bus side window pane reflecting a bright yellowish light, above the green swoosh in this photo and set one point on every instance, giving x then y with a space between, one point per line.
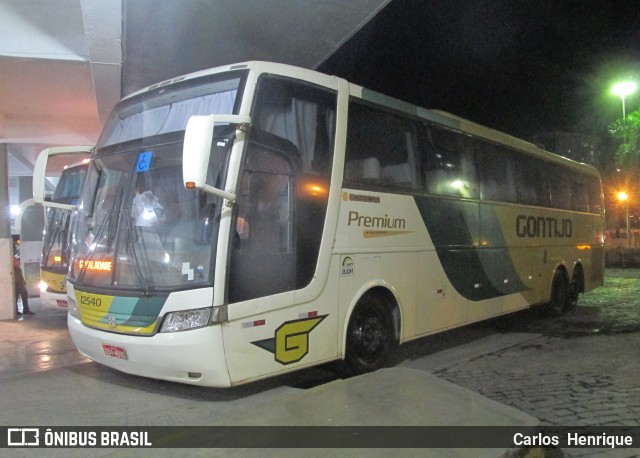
449 165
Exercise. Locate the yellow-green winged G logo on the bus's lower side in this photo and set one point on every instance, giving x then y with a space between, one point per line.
291 341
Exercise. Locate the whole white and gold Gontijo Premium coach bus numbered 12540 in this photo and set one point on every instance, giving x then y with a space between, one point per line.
259 218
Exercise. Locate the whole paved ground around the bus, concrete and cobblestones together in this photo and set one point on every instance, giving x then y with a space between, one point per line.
581 369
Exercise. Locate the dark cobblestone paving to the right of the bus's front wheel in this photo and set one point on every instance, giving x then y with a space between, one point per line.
581 369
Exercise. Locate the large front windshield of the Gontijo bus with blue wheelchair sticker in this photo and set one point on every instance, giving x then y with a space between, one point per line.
137 227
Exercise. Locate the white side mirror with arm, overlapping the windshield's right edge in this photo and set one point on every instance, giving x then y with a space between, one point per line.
196 151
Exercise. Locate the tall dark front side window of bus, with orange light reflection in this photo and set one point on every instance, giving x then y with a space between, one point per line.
283 189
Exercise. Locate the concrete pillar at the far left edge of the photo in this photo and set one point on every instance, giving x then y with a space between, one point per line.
7 298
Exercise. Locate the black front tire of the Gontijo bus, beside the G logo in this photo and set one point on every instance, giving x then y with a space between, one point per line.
370 336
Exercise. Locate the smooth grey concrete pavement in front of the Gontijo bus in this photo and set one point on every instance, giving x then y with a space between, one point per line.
45 383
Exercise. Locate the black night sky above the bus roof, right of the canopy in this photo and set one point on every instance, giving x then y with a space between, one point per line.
520 66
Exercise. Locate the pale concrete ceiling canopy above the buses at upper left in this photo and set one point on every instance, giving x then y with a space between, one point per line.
65 63
